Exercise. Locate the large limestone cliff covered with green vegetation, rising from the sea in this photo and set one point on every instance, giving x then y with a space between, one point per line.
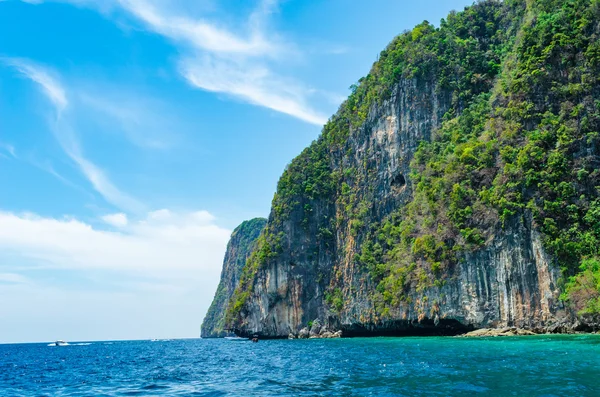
442 196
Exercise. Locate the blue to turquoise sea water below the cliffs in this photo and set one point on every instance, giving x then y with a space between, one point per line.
516 366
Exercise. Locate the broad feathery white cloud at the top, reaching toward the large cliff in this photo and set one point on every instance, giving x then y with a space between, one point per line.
241 62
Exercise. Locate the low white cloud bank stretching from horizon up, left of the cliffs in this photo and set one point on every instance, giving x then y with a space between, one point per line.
153 278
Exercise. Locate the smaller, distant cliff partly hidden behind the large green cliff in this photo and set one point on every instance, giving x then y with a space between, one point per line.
242 242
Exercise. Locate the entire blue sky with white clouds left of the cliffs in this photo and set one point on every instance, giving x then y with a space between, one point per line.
135 135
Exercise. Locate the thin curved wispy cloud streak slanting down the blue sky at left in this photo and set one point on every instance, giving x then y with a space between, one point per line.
67 137
